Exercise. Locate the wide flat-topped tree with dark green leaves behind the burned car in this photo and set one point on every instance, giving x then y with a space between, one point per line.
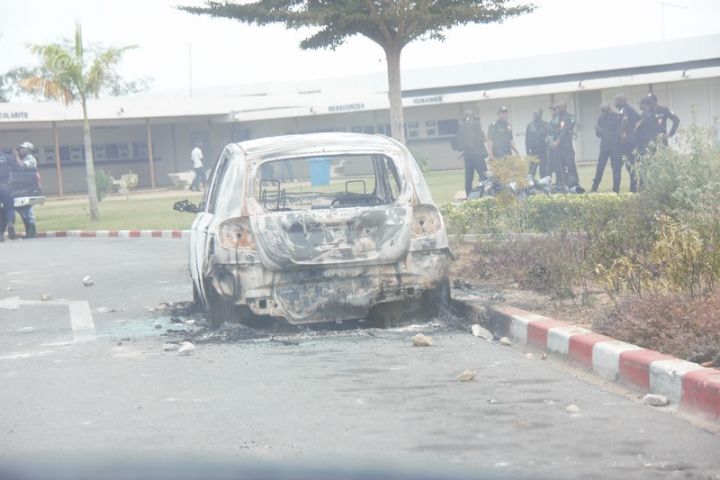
391 24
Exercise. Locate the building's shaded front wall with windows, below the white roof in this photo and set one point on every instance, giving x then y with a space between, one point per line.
429 130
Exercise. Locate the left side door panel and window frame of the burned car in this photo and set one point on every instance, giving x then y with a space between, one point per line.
201 238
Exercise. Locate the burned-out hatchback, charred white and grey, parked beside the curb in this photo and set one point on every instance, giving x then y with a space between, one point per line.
316 228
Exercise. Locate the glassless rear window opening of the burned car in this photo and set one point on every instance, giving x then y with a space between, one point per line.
326 182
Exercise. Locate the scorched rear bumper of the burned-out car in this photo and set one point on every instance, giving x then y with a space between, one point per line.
324 294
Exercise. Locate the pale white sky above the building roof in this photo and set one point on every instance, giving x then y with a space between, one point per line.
226 52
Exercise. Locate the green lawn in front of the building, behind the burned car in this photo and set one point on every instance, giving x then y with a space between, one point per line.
154 210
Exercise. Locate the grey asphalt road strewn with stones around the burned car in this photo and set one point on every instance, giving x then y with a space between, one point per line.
350 398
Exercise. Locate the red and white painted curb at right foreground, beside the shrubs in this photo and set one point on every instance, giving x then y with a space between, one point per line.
695 389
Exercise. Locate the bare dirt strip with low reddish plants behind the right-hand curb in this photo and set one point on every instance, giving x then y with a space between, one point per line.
671 324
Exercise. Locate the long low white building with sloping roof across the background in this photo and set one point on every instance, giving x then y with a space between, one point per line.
685 75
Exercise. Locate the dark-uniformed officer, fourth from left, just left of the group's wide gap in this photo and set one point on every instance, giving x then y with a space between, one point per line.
562 153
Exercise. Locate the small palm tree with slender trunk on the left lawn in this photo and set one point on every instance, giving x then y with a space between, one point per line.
66 75
